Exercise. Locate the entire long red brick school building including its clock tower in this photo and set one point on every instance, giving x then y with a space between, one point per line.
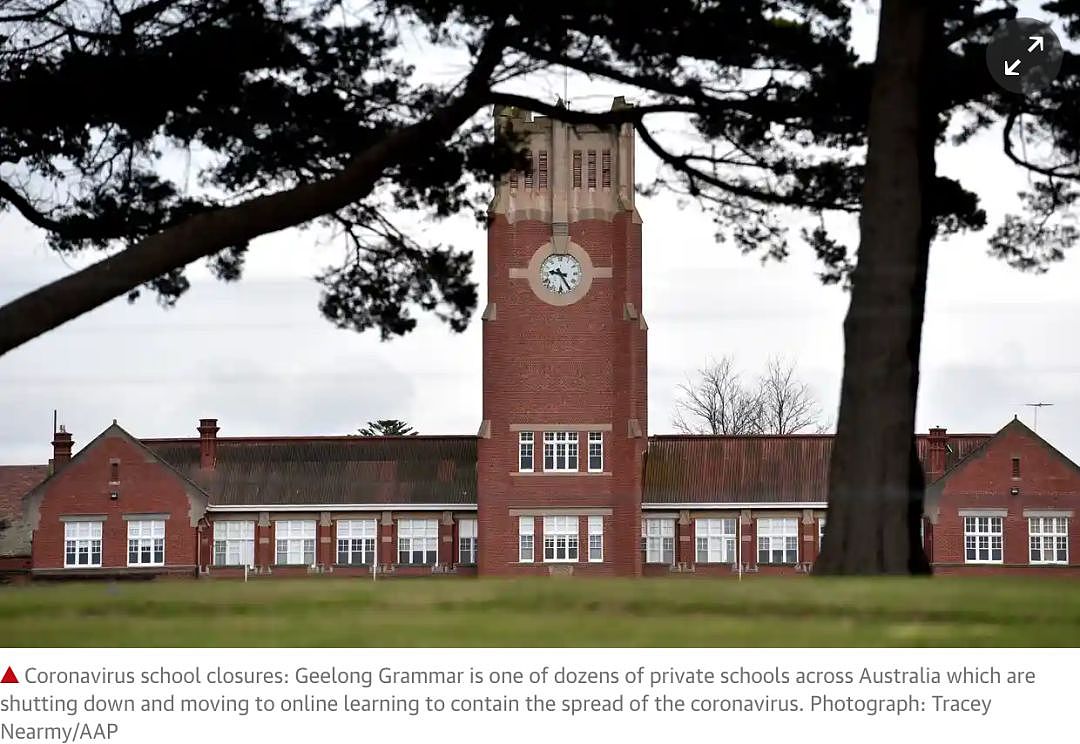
562 477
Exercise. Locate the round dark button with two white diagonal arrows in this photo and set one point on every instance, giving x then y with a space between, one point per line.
1024 57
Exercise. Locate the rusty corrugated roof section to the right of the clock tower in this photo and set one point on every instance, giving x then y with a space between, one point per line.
758 469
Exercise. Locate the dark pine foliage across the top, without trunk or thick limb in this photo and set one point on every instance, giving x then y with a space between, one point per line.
124 119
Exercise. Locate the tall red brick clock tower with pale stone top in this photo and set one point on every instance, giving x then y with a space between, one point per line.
564 431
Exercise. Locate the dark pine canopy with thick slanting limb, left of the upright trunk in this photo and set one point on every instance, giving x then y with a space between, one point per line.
159 132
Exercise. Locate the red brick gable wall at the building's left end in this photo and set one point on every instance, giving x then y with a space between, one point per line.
84 488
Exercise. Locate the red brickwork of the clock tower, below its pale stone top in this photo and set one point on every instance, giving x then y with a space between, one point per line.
546 364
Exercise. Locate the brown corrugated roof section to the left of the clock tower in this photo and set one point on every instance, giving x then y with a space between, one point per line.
350 470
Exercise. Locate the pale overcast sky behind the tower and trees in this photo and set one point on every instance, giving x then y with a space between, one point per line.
259 356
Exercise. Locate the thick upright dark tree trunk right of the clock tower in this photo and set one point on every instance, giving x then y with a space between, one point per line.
876 485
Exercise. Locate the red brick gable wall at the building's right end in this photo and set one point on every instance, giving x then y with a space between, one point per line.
1047 482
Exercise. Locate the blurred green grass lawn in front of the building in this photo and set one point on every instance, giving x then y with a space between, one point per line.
957 612
